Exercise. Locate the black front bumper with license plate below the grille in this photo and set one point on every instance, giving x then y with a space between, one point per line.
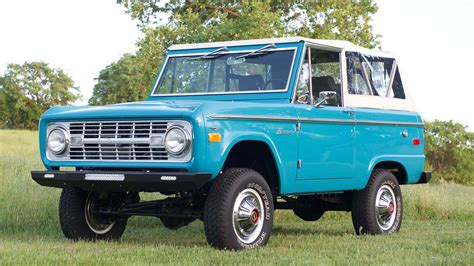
121 181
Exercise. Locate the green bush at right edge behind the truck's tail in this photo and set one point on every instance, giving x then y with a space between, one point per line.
449 151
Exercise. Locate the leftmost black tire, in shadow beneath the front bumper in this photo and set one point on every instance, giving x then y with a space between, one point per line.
77 218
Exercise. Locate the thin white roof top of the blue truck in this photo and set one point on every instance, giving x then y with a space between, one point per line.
329 44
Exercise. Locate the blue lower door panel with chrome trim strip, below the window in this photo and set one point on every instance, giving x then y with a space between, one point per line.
325 143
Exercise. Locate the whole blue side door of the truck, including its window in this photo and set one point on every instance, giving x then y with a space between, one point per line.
326 133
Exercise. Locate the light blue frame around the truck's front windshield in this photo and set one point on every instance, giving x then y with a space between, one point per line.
154 92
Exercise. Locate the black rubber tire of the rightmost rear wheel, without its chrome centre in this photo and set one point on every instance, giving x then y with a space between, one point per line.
364 214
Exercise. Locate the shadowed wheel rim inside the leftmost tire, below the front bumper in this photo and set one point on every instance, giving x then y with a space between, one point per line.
98 225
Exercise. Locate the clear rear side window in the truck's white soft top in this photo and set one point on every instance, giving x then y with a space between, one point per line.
373 75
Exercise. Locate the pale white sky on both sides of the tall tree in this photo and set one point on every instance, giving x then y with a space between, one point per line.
432 40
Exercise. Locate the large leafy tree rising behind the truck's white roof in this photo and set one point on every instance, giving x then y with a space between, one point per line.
175 22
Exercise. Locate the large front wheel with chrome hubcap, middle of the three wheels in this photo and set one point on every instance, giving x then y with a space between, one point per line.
238 213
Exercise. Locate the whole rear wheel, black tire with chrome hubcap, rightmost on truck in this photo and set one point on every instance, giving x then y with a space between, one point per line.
378 209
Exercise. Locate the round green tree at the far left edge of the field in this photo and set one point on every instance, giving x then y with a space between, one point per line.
28 90
